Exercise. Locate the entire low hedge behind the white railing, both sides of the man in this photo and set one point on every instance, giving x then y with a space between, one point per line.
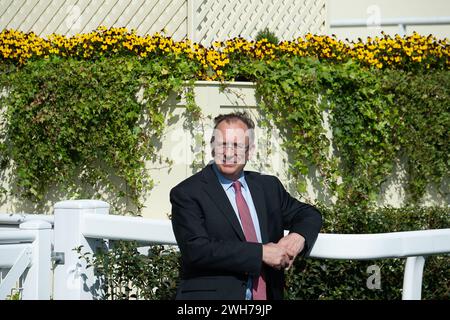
128 274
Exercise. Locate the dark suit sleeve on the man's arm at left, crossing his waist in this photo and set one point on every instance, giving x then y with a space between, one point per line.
200 251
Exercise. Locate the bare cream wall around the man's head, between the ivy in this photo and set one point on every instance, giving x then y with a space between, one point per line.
182 144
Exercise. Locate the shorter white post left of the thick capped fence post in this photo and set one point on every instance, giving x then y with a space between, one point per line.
37 283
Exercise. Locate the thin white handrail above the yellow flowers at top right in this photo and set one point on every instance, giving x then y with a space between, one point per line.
400 22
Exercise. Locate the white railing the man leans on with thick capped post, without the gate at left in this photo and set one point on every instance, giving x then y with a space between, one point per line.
93 223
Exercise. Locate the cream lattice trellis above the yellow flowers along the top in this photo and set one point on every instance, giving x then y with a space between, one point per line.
201 20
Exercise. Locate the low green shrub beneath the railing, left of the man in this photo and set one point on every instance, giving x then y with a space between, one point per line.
125 273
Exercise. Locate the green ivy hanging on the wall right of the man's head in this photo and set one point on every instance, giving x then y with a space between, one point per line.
377 118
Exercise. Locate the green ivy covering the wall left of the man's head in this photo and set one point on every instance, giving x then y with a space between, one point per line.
69 122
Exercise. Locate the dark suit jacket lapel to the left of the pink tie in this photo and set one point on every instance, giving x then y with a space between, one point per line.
215 191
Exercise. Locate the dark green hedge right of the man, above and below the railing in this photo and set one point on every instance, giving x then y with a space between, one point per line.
346 279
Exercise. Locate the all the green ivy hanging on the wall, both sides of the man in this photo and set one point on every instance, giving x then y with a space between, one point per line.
71 121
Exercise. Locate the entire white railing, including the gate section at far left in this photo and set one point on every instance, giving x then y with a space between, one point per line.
87 223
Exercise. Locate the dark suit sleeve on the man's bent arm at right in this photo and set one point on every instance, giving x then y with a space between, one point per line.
300 218
